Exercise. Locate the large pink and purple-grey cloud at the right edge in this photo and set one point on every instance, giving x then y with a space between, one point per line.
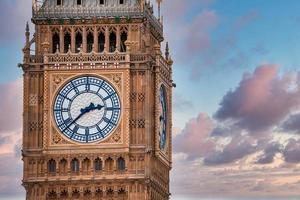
261 100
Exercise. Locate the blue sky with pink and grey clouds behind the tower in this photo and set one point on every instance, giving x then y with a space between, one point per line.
236 105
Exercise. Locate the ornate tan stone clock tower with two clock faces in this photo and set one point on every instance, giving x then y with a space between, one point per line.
97 102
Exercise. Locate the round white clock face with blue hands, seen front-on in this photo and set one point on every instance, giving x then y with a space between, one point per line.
87 109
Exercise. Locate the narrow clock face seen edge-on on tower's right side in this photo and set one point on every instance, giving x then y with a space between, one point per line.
163 118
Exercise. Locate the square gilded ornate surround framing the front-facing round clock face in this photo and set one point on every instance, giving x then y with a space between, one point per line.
116 79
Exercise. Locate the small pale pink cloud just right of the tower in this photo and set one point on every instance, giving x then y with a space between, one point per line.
194 140
